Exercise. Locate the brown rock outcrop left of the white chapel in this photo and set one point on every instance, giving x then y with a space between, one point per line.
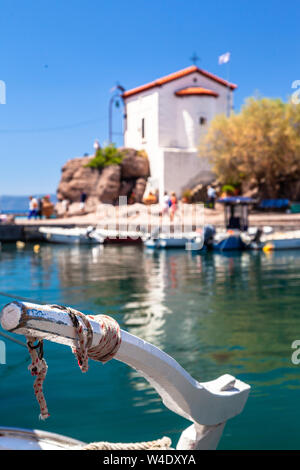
104 185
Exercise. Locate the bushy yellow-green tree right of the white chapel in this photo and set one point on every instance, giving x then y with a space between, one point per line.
260 145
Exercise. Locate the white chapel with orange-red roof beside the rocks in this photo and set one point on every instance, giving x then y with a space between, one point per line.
168 117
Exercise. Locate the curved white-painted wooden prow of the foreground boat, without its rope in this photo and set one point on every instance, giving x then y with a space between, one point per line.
208 405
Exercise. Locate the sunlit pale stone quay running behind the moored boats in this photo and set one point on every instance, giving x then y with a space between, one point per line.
28 230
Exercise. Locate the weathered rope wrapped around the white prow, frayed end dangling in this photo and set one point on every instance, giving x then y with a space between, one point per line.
103 352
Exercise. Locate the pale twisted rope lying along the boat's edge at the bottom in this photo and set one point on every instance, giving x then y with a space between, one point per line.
160 444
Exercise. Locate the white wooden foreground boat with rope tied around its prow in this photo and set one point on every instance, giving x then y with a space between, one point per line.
208 405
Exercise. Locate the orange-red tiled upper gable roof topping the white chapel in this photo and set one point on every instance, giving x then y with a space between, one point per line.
175 76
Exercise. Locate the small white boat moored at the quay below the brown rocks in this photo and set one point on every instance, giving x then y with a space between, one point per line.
74 235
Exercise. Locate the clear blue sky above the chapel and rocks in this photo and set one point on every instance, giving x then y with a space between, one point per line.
60 58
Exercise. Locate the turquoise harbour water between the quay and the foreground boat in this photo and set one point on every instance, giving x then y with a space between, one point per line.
214 314
